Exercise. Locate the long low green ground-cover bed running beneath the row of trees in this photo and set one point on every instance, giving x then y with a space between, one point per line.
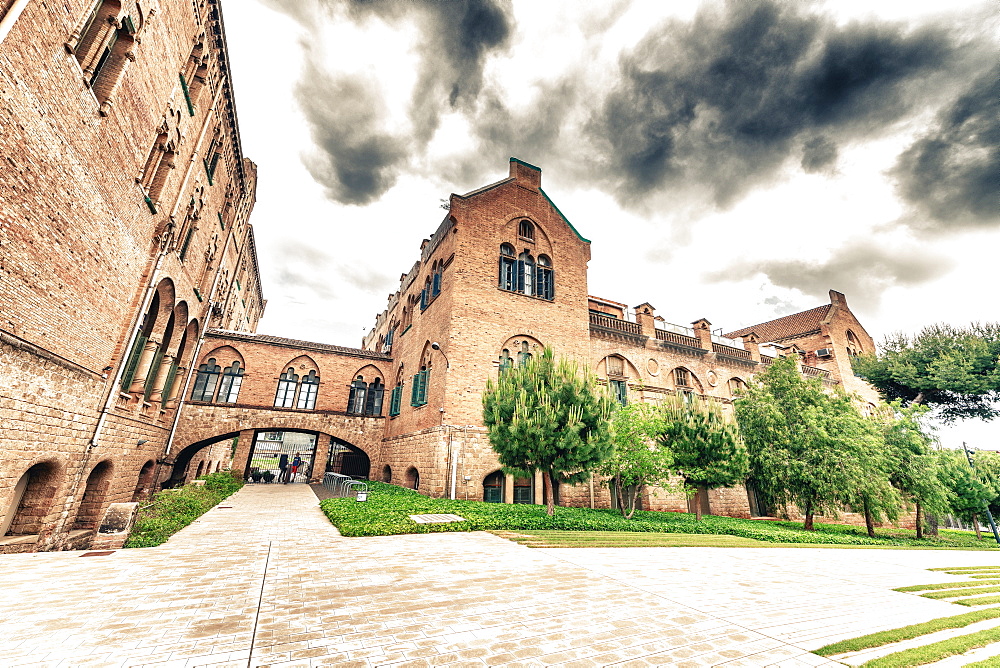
386 512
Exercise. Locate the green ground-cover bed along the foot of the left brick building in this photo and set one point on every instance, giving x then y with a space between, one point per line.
170 511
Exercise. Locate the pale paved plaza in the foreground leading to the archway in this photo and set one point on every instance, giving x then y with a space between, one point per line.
265 580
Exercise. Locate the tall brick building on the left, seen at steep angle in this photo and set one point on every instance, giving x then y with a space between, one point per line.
124 207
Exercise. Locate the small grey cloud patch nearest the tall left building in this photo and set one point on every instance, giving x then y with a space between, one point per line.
357 160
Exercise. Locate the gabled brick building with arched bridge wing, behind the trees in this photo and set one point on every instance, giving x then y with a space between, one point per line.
502 276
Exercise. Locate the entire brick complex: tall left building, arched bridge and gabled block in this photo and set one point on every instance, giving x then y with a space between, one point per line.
131 296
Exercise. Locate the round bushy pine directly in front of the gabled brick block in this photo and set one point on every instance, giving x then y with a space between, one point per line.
547 416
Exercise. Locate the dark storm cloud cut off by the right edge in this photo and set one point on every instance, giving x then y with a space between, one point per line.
951 175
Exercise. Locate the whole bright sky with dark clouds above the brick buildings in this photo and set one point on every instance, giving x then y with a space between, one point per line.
732 161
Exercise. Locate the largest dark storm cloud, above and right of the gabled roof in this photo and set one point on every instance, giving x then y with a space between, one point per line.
724 100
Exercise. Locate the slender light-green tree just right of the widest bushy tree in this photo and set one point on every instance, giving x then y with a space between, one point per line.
914 465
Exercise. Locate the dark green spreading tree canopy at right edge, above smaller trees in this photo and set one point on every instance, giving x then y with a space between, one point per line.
953 369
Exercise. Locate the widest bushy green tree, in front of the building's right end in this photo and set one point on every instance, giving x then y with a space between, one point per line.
807 447
